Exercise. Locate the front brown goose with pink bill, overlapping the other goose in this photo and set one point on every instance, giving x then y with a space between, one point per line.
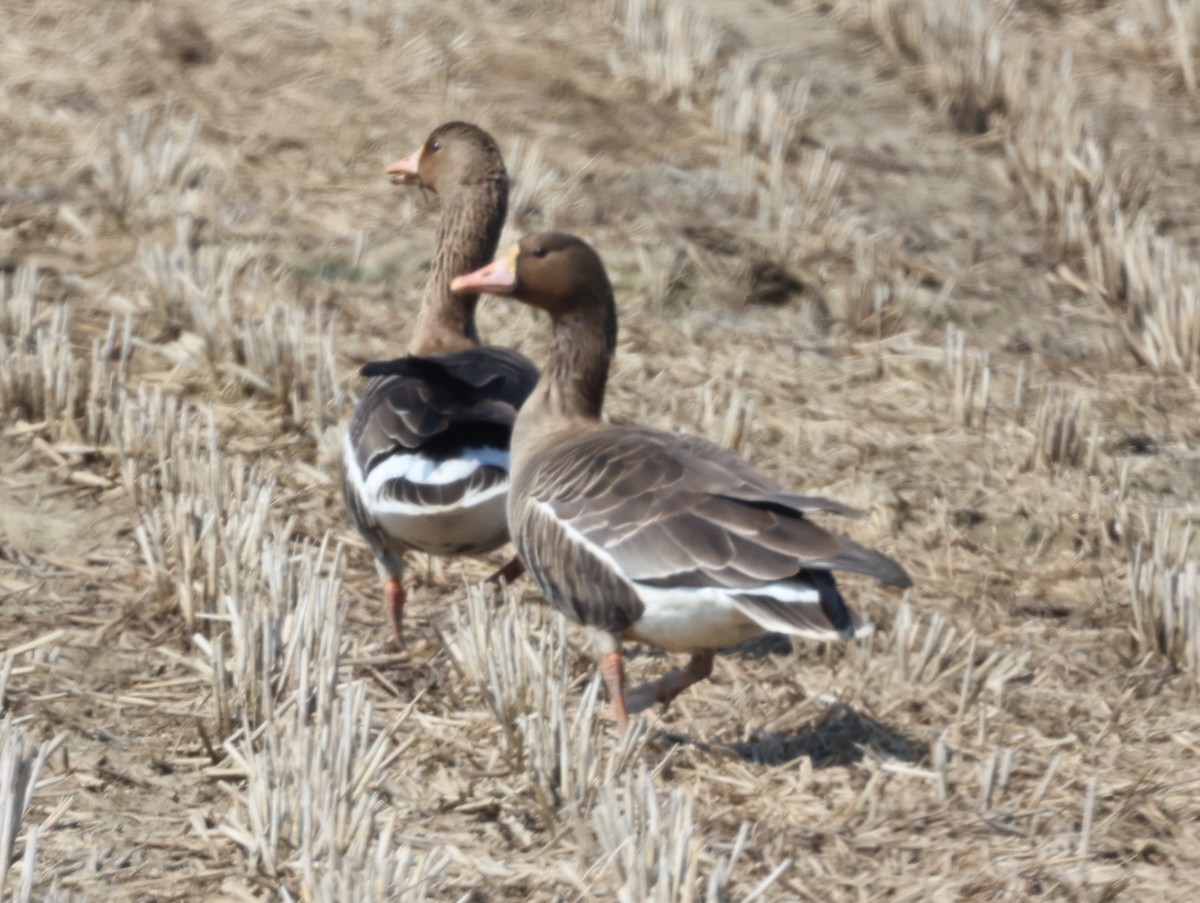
650 536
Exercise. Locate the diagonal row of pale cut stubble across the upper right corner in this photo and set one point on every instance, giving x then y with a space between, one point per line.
975 62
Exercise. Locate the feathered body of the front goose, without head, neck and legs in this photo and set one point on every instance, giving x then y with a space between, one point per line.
623 521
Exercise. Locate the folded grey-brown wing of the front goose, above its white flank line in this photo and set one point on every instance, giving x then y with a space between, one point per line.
679 511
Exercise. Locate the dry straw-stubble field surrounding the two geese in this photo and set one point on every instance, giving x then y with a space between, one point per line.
934 260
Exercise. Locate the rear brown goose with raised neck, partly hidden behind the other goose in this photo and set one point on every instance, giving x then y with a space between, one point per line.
425 461
